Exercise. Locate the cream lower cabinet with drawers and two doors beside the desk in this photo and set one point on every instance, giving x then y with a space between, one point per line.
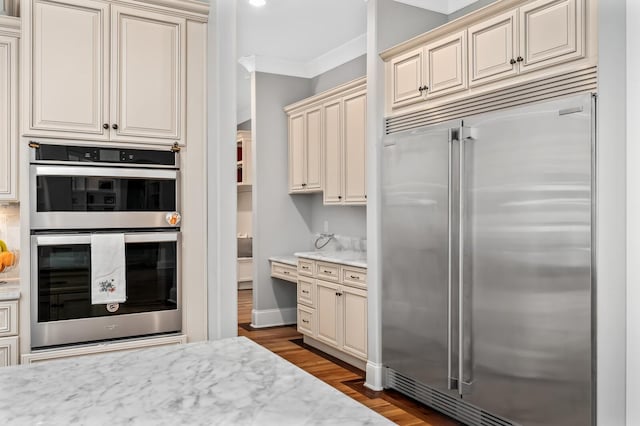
334 312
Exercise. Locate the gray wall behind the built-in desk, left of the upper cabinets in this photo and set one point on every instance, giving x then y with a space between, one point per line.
281 223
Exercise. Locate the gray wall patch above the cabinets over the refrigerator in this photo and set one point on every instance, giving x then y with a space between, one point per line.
399 22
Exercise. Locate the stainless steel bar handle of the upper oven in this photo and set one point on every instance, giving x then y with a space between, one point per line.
105 172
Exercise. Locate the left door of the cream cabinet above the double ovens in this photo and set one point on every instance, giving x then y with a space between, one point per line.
70 68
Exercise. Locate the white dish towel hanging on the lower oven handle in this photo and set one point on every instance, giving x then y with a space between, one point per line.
108 277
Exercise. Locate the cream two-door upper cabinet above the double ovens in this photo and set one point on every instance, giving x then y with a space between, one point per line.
101 71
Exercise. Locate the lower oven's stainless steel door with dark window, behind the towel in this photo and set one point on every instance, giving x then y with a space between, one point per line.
61 308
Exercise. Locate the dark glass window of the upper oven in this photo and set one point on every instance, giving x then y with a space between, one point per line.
104 194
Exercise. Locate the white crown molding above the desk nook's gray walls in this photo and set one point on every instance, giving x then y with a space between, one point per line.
323 63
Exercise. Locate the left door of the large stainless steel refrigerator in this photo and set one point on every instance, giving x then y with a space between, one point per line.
416 259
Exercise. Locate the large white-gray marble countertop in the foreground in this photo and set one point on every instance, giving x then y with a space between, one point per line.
227 382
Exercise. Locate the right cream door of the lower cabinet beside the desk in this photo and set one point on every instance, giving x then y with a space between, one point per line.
355 322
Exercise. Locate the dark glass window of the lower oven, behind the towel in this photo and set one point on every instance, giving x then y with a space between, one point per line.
64 277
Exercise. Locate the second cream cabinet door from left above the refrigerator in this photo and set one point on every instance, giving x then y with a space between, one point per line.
447 65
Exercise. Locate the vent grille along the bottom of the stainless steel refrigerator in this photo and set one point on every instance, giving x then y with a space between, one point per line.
452 407
